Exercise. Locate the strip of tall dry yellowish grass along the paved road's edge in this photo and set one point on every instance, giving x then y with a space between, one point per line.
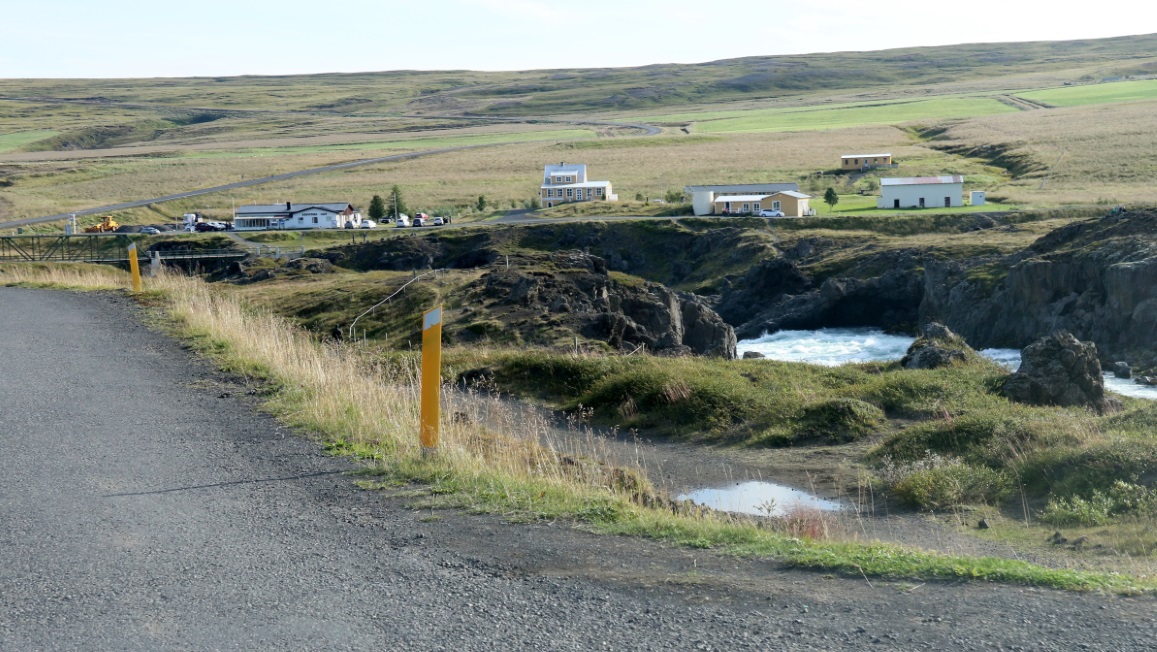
490 465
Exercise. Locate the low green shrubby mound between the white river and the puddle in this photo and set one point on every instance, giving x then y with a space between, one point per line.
944 438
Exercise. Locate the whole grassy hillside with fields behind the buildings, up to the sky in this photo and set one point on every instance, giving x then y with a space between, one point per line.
85 144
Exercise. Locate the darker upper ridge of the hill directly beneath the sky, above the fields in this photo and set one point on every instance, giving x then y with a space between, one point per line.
543 93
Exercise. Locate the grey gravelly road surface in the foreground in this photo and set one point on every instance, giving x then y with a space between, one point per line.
145 505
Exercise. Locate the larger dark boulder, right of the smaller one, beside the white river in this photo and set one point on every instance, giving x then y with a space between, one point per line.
1060 371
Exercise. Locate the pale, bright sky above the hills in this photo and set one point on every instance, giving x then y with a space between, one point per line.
139 39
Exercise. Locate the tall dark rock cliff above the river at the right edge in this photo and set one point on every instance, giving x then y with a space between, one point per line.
1096 279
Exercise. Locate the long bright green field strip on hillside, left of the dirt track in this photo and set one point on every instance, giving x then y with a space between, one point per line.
834 117
